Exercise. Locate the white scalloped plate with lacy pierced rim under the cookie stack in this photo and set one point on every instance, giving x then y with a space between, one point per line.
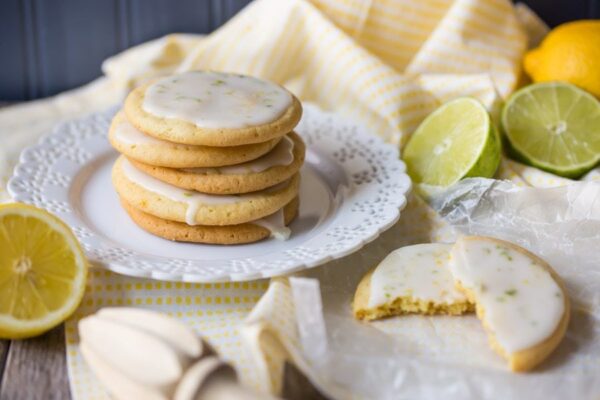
353 188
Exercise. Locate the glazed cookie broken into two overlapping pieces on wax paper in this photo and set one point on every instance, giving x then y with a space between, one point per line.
520 300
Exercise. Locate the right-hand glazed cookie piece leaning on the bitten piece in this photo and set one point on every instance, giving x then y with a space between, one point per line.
520 300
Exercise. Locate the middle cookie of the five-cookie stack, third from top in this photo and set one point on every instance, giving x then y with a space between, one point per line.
278 165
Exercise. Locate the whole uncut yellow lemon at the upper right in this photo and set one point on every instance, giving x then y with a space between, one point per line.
570 52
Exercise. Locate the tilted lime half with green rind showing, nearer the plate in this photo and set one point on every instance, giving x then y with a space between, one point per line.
456 141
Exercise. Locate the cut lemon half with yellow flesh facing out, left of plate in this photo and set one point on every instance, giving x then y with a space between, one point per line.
42 271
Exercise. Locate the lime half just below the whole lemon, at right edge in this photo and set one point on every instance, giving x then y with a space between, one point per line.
554 126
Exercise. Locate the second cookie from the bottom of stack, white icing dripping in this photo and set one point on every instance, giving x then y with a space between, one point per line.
194 208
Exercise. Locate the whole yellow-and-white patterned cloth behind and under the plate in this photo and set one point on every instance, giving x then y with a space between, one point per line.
384 63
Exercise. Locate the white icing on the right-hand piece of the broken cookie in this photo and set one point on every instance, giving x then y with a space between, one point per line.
523 305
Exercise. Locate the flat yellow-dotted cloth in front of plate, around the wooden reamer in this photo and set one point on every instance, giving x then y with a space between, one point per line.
215 310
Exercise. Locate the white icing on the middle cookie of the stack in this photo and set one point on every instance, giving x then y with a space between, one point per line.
281 155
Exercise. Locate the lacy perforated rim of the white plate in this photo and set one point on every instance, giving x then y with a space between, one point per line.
26 176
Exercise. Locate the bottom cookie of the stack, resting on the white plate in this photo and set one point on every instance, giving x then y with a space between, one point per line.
274 225
